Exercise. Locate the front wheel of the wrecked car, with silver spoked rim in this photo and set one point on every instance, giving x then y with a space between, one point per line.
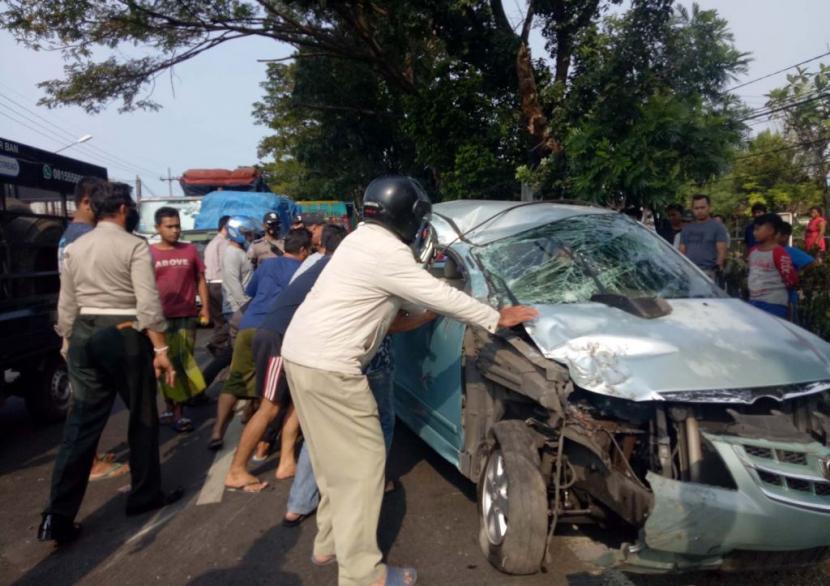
512 502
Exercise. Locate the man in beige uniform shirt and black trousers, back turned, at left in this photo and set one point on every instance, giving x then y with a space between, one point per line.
110 312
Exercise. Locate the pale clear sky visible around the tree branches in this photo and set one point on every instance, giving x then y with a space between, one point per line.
206 119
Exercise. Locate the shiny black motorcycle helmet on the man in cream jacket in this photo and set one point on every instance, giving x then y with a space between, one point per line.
398 203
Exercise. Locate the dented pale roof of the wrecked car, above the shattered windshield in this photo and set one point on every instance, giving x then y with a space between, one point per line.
484 221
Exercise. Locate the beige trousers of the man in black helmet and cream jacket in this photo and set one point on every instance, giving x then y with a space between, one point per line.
341 427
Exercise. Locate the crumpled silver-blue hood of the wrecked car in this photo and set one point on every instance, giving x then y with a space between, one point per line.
718 350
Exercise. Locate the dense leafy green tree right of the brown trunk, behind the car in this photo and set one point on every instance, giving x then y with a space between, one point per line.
647 109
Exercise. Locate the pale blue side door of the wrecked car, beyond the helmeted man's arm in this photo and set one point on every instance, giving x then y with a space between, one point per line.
428 374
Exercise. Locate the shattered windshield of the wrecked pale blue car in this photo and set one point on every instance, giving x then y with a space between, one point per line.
571 260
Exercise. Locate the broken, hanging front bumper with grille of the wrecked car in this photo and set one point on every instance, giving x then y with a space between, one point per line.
782 504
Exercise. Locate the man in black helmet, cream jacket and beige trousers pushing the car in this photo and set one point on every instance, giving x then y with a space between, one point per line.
333 335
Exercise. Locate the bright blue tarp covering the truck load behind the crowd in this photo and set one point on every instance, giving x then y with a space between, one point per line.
244 203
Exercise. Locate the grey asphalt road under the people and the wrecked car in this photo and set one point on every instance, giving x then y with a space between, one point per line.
214 537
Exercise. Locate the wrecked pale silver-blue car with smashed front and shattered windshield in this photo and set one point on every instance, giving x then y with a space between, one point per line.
642 397
